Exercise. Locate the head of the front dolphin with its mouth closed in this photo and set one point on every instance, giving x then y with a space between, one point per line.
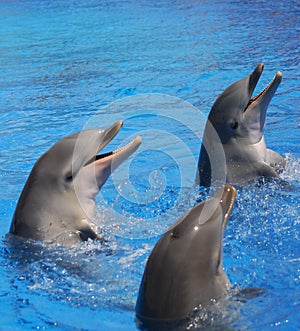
204 226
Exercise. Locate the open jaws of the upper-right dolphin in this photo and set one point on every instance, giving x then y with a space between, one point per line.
267 92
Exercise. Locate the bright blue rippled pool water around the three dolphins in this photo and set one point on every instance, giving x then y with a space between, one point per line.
159 66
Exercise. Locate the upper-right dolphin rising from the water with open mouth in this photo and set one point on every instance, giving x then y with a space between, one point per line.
236 123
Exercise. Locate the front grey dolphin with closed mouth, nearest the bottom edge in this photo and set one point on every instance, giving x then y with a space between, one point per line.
184 270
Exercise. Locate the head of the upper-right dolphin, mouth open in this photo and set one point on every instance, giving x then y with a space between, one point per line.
236 114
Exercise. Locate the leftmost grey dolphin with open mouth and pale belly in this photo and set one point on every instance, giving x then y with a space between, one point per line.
58 200
